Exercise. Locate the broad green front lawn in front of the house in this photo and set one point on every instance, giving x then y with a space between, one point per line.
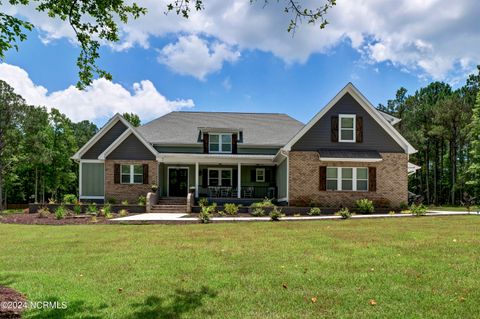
413 268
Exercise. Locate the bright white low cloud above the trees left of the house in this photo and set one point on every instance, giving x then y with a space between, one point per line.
102 99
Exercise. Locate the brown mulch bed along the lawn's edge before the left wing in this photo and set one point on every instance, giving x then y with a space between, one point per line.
34 219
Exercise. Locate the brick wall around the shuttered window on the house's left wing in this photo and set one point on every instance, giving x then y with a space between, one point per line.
129 192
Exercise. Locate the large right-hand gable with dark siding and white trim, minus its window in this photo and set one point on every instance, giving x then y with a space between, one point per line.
379 134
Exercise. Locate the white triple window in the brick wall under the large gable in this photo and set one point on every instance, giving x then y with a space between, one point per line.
347 178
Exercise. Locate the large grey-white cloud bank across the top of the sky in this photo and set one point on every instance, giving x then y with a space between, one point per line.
436 38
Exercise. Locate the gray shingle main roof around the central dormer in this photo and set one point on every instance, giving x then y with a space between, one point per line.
258 128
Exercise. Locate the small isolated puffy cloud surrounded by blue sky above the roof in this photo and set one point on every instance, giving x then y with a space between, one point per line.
194 56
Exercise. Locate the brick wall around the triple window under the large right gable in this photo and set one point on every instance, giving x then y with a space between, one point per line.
304 181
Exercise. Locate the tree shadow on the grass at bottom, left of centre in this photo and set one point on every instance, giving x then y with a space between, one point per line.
182 302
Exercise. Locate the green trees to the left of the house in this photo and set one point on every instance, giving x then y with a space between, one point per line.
35 149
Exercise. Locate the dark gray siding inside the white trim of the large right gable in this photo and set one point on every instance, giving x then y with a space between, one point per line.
374 136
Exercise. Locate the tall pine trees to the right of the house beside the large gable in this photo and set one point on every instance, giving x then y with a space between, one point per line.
443 124
